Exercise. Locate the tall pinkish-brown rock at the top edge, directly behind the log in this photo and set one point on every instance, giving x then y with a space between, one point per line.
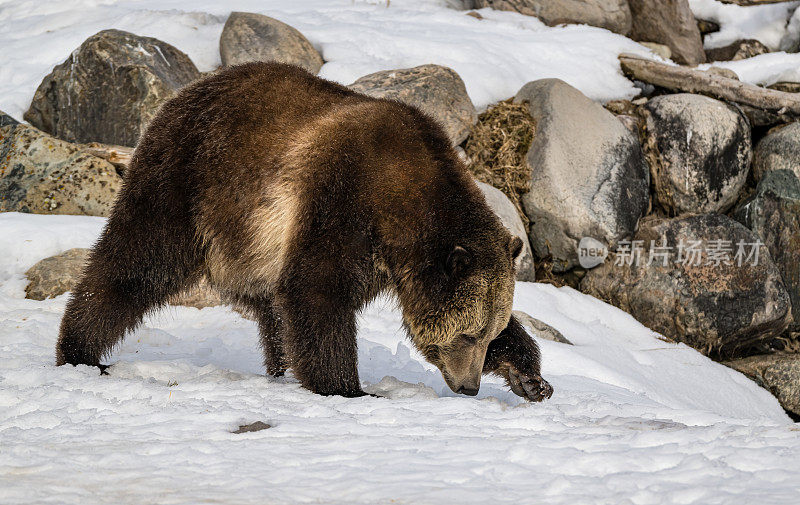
668 22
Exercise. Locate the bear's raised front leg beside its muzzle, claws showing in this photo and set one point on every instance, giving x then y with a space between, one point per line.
514 356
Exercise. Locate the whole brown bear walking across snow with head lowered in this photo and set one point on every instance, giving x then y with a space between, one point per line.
301 201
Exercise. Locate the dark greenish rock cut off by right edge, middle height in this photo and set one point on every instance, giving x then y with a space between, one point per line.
773 213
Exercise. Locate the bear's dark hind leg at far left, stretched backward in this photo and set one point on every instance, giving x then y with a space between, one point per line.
145 255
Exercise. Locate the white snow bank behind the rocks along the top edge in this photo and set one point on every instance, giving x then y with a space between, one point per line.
495 56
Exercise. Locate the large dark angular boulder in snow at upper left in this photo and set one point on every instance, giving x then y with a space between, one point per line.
109 88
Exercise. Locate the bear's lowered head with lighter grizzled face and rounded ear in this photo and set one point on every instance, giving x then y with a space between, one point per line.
454 307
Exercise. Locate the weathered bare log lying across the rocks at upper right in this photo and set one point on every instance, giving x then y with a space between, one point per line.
785 106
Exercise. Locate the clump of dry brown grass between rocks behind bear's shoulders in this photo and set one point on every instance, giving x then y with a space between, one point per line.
497 147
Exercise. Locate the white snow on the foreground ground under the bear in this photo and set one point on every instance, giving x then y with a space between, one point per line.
633 419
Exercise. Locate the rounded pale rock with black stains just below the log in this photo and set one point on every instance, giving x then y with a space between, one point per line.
699 151
